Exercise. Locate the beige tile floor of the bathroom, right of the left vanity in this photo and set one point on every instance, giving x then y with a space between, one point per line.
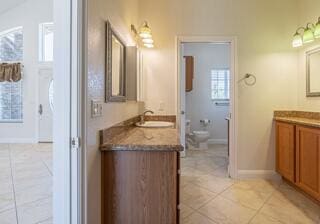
209 197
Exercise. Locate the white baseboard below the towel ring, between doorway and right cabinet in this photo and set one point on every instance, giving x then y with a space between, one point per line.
255 174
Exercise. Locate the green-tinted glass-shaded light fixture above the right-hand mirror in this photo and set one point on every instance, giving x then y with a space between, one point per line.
310 32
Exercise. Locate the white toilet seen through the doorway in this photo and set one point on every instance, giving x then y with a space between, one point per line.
199 138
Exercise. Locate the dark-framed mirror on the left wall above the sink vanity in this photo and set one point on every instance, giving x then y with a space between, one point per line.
115 66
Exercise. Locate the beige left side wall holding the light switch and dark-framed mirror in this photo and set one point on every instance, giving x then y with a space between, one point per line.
121 13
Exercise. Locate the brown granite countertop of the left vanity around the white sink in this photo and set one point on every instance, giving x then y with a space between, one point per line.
128 137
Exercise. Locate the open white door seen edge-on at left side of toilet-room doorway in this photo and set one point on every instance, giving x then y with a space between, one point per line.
182 111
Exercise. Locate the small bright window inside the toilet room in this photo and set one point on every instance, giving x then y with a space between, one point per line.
220 84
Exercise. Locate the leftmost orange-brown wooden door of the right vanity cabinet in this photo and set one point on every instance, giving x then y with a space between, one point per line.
285 154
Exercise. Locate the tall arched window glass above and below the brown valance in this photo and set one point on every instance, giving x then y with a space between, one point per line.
11 50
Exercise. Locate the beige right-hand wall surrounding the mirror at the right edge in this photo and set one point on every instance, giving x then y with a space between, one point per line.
308 12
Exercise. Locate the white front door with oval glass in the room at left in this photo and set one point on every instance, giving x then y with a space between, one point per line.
45 106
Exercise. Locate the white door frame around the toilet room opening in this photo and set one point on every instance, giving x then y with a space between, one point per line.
233 158
